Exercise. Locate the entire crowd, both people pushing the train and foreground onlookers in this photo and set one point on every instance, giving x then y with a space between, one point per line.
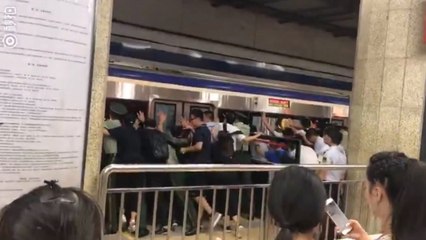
394 182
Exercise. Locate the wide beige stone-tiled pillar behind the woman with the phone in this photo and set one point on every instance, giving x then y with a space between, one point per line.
387 102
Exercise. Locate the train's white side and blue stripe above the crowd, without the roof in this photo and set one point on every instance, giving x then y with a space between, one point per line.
157 92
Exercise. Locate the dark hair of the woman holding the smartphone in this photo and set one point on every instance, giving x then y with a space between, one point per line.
404 186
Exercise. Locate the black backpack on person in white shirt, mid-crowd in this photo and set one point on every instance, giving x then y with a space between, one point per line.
225 142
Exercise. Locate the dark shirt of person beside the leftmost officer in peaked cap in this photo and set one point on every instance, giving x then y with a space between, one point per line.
128 143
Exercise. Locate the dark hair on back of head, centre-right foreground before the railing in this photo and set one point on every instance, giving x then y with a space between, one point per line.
296 201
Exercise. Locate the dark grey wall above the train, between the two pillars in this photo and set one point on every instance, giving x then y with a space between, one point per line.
229 25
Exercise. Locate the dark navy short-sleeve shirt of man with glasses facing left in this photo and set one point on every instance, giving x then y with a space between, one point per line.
201 134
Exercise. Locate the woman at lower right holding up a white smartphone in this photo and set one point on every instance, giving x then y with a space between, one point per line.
396 195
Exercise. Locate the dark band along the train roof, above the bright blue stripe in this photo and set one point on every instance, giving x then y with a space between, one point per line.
216 65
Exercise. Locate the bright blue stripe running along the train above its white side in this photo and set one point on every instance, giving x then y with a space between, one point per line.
233 87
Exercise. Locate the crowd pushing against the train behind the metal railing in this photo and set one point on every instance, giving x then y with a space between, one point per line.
203 139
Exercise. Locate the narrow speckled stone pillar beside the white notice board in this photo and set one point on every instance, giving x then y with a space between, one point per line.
97 101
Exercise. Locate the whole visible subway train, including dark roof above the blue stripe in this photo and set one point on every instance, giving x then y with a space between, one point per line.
153 78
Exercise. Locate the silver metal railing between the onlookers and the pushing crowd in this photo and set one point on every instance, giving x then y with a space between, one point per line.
256 220
